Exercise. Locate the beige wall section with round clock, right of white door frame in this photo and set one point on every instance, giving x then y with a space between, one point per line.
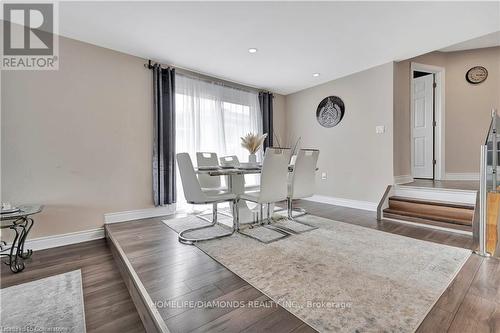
468 107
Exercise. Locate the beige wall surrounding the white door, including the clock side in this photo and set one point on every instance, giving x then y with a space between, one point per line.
467 107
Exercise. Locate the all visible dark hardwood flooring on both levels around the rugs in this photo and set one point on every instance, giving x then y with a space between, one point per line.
177 273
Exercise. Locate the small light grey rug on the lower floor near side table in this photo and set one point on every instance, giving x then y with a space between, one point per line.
53 304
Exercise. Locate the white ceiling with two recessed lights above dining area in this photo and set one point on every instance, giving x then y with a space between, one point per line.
294 39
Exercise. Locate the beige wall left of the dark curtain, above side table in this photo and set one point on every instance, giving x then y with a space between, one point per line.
78 140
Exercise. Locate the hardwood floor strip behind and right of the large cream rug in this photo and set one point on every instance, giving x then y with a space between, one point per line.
472 301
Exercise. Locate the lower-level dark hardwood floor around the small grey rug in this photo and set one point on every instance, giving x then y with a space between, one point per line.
108 306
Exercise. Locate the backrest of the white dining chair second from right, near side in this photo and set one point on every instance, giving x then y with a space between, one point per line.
273 179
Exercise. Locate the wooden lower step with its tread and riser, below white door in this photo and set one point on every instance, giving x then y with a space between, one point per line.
432 212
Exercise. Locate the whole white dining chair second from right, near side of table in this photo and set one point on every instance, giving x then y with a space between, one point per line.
273 182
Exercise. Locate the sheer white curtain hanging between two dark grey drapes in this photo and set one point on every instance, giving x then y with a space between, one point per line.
211 117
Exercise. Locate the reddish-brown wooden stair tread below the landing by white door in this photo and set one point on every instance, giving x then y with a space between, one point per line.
452 213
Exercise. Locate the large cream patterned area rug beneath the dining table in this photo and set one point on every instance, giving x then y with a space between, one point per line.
342 277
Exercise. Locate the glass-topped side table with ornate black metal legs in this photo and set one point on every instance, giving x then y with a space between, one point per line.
20 223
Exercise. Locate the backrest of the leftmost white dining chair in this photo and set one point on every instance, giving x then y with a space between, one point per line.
190 183
